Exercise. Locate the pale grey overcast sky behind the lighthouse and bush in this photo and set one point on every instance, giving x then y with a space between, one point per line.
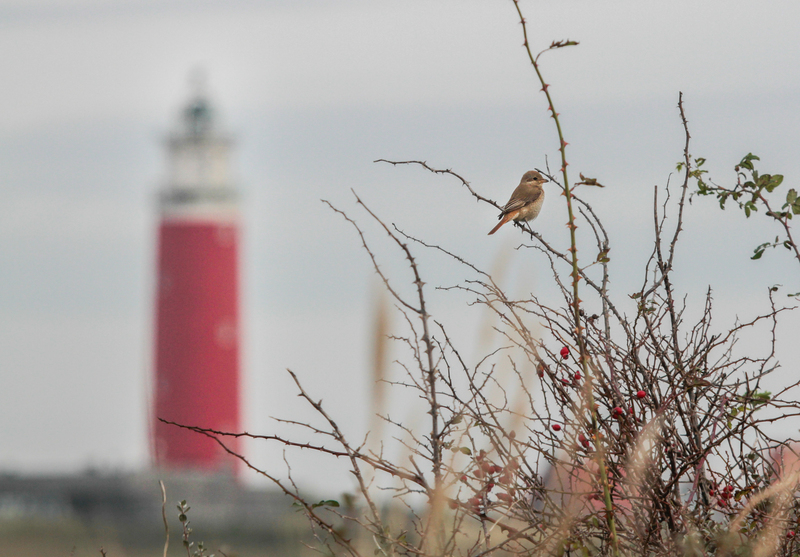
314 92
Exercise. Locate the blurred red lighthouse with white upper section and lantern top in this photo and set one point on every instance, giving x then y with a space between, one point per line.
197 316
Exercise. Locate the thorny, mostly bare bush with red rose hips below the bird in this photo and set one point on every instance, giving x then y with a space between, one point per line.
638 434
